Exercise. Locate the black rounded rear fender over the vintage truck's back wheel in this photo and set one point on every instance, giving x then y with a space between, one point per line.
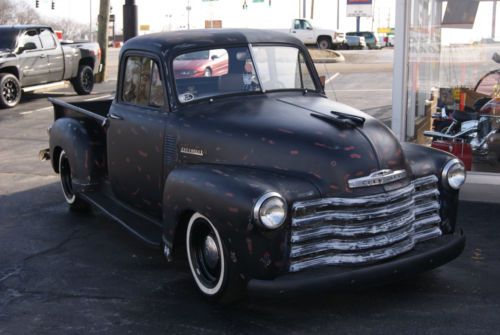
85 147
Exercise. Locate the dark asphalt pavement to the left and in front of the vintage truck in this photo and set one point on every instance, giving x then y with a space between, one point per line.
63 273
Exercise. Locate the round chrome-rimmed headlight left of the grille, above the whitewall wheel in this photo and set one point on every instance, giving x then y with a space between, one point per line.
270 210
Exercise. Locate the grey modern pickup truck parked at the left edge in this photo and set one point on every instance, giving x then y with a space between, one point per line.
31 58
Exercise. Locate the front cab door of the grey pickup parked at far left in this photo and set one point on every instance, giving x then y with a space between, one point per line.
33 62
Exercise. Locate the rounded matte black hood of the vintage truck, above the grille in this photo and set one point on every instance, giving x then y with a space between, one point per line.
279 133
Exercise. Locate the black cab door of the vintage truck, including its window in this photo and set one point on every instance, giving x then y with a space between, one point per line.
135 135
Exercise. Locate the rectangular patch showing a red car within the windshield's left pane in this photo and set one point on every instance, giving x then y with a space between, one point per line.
206 63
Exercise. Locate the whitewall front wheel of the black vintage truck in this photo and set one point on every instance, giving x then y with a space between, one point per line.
214 274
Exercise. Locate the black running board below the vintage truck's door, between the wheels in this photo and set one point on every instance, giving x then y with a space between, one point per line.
145 229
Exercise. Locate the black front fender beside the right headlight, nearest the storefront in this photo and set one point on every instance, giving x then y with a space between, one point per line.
424 161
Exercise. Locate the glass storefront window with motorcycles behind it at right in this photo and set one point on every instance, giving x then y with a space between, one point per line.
453 80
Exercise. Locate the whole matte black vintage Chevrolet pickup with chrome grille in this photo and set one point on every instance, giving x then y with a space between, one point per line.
253 174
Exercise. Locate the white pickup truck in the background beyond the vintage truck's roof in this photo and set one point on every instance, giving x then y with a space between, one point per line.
309 35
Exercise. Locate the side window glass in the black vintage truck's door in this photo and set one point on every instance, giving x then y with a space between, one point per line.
142 84
